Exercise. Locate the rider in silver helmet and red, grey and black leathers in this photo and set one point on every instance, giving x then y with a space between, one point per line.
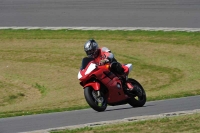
104 55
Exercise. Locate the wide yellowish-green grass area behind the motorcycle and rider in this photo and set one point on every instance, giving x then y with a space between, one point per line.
39 67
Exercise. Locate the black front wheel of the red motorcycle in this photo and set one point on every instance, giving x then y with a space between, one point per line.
98 103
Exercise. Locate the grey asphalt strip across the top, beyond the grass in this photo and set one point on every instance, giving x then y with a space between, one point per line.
102 13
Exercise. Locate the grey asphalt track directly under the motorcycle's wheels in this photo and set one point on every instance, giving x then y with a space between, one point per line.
69 118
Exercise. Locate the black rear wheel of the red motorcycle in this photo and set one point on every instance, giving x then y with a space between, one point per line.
136 100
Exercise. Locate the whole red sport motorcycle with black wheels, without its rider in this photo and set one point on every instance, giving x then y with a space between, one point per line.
102 87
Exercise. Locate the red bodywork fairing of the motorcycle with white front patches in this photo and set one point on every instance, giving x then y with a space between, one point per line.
103 74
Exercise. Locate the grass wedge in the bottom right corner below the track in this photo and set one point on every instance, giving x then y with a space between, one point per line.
177 124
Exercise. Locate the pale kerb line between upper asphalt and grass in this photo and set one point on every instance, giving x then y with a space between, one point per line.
107 28
